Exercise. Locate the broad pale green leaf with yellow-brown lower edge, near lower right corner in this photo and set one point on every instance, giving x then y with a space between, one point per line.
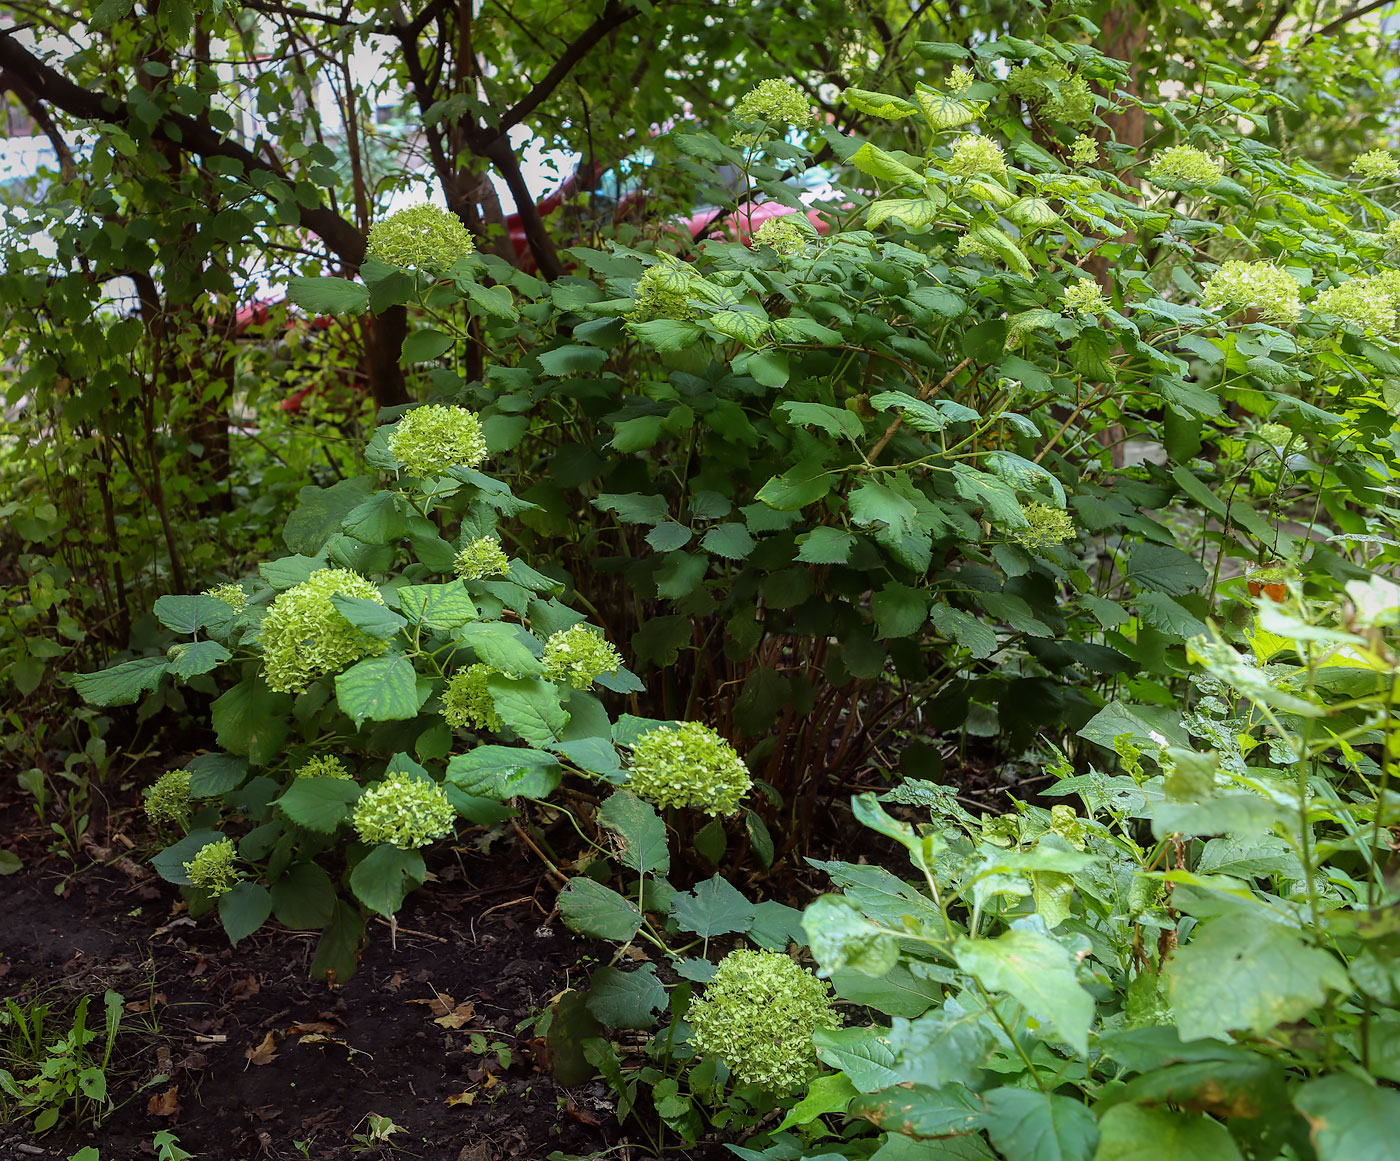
1248 974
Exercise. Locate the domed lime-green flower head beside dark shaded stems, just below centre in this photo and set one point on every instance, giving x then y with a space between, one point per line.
689 767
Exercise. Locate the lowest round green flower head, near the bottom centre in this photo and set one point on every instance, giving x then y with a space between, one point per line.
758 1015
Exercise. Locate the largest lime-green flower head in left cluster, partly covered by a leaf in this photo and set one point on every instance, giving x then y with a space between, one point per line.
304 635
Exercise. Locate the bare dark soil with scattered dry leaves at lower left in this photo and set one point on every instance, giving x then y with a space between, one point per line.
258 1057
